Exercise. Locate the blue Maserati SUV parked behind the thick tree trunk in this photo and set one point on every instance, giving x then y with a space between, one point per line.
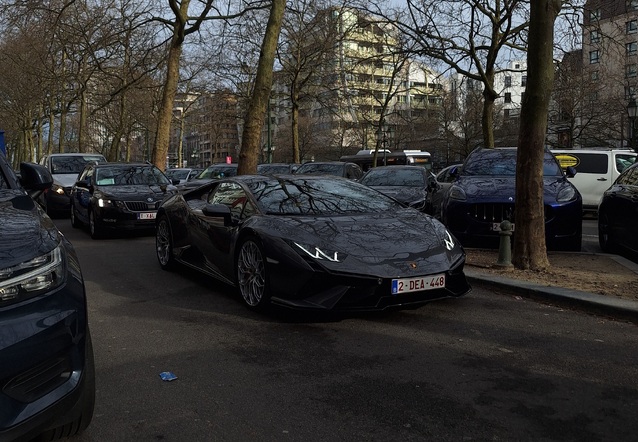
483 193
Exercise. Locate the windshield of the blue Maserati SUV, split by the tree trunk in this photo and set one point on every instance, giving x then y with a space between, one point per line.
502 162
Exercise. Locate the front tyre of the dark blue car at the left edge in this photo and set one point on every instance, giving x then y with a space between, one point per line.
78 418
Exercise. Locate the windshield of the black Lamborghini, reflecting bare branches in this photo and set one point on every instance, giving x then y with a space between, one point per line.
319 197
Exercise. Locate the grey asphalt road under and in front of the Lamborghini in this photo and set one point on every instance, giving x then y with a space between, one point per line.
489 366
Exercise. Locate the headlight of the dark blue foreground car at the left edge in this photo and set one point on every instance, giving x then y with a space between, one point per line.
31 278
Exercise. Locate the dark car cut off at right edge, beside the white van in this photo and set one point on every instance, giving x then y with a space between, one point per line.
618 213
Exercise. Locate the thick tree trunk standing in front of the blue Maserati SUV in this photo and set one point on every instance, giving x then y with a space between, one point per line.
529 238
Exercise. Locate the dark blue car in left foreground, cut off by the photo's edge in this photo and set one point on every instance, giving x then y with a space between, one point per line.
47 377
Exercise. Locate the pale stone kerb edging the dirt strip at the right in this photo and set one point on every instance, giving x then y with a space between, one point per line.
589 302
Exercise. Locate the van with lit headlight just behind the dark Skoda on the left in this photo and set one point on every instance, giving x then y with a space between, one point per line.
65 168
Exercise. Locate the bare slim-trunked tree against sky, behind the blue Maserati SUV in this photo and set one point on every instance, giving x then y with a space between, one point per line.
469 37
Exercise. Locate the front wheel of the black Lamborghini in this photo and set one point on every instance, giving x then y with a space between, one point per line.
250 271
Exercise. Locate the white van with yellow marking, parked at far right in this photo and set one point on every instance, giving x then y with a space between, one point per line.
596 170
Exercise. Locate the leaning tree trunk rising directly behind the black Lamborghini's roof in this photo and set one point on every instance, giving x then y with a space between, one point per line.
255 115
